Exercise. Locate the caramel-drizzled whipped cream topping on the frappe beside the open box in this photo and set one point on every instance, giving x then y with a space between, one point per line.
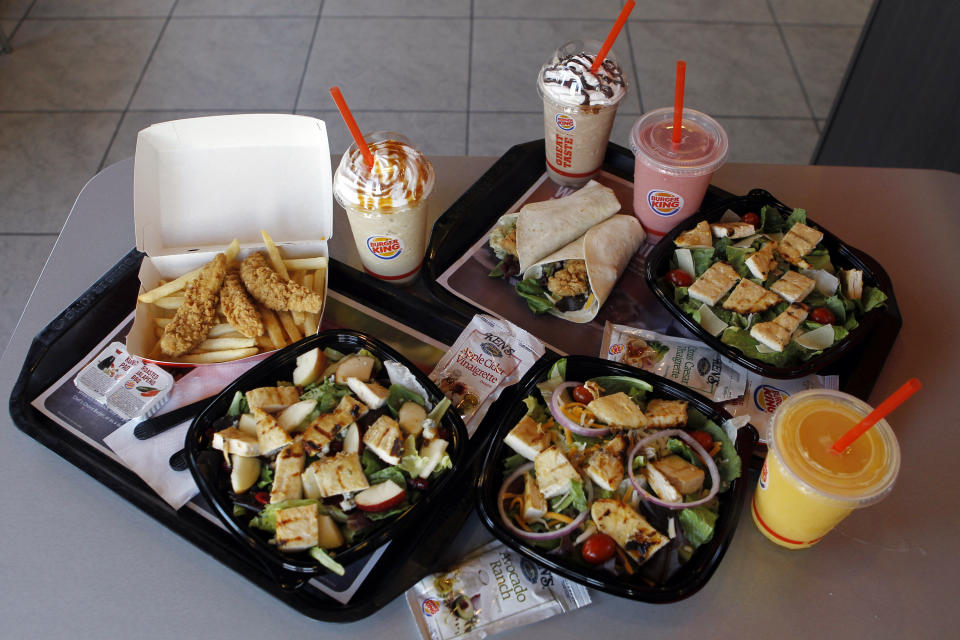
401 176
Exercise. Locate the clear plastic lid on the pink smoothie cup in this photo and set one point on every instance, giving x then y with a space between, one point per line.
702 148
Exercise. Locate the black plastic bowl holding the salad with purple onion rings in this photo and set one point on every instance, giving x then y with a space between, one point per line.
655 582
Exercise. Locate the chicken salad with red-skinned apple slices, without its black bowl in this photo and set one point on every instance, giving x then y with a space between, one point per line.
322 460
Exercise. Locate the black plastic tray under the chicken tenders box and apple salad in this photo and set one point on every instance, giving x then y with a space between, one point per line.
79 328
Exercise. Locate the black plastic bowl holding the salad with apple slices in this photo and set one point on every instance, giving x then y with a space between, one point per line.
292 571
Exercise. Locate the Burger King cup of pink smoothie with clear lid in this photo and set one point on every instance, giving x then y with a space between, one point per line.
670 178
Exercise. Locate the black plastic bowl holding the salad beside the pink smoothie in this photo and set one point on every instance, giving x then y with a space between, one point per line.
842 256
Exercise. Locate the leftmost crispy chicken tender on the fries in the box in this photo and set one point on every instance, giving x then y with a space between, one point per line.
198 312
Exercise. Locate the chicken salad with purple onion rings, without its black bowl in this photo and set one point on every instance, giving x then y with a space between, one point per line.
604 473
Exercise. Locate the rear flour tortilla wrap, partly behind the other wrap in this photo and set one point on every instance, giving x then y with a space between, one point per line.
543 227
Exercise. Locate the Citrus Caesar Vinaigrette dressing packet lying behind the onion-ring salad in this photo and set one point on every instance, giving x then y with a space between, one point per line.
688 362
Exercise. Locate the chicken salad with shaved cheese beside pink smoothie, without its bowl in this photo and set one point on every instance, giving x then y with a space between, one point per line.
765 285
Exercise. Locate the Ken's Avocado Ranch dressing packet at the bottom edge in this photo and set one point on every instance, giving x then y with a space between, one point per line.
493 589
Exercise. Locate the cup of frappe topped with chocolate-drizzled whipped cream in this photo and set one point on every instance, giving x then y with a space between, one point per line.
577 120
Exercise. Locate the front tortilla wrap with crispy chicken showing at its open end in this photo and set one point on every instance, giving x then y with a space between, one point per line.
574 282
